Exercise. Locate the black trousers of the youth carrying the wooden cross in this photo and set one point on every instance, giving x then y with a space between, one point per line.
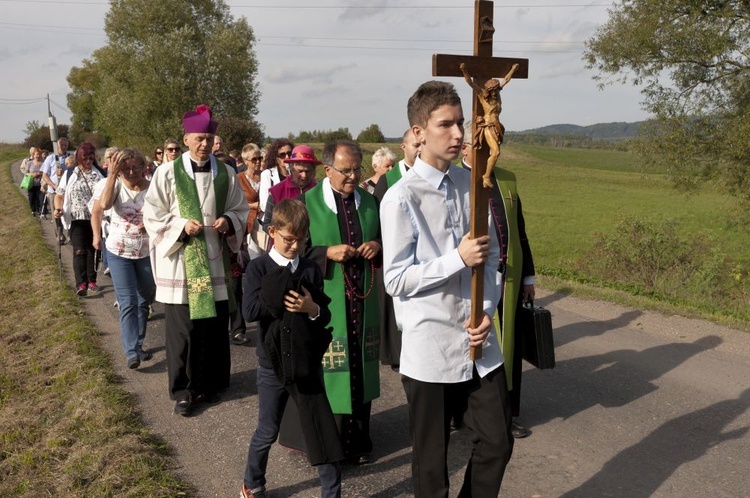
487 415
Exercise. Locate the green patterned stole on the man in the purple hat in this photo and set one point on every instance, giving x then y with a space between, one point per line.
197 271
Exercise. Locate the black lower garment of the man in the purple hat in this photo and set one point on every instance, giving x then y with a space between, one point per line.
198 357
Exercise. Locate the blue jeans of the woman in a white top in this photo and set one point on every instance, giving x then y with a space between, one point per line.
134 285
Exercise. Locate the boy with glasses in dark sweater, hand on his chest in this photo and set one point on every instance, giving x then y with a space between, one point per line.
285 291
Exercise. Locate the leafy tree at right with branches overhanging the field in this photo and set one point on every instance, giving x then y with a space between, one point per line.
691 57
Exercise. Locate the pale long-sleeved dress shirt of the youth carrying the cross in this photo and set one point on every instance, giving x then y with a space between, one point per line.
425 215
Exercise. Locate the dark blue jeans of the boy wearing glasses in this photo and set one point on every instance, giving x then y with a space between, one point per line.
272 399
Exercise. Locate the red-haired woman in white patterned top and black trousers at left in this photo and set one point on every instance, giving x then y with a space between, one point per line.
72 196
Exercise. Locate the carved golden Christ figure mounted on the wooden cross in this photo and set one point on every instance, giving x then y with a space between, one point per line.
487 128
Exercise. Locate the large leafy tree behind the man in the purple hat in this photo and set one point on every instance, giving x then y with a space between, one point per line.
136 88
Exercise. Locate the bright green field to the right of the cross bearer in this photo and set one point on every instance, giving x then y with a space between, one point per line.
570 194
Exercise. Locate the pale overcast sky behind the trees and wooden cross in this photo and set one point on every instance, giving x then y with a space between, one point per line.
340 63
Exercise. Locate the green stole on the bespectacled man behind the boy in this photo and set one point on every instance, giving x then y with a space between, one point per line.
324 231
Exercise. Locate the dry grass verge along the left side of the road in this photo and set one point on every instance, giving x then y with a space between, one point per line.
67 427
